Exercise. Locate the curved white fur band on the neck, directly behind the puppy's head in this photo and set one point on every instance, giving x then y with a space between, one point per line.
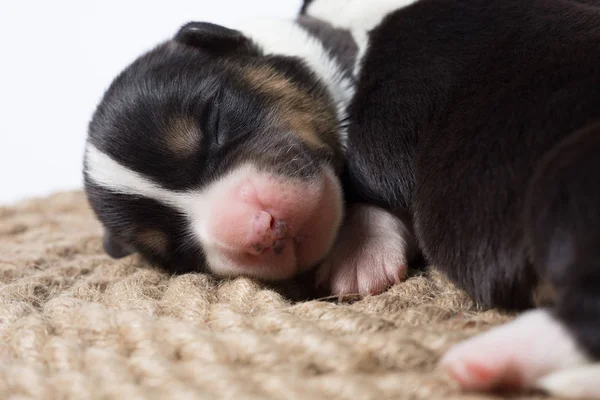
287 38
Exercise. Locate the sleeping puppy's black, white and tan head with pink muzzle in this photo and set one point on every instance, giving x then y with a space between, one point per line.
207 155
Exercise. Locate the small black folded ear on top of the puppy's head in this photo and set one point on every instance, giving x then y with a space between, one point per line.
211 37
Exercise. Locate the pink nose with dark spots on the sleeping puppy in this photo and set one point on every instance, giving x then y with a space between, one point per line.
267 232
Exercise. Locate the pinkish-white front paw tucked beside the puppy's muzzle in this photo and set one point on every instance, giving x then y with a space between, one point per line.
370 255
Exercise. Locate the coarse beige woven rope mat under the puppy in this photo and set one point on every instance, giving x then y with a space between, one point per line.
75 324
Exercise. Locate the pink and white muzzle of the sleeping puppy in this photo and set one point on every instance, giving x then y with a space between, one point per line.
266 226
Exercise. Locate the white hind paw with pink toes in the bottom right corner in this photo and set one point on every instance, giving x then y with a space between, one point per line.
532 352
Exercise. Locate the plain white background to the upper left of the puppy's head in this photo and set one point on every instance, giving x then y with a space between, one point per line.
56 59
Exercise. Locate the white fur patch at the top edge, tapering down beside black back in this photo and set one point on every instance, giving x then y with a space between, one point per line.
357 16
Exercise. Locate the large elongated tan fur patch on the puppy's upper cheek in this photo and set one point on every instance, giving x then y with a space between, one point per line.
310 117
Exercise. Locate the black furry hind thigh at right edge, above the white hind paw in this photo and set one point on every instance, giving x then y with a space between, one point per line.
562 230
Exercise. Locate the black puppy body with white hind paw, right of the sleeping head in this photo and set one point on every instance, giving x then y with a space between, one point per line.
480 120
